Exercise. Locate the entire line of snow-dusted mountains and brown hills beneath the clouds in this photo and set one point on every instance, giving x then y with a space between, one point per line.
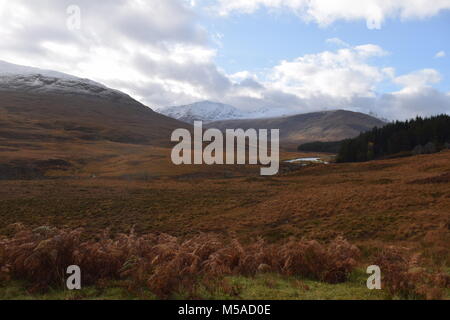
51 106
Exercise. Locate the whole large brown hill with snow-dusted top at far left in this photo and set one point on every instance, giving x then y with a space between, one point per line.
42 105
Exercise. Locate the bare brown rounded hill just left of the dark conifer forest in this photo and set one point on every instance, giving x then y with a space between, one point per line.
317 126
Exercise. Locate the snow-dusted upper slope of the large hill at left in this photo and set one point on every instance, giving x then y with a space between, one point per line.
21 78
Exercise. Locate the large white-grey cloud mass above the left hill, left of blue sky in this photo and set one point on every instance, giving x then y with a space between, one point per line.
154 50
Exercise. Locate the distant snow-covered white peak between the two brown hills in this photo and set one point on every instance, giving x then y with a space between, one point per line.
205 111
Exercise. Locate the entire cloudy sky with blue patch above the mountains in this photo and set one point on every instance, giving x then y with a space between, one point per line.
391 58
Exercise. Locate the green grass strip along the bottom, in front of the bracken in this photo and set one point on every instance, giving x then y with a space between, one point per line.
261 287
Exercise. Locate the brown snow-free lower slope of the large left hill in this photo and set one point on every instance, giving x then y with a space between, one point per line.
49 116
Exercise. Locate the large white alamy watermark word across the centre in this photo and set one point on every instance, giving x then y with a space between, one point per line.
236 147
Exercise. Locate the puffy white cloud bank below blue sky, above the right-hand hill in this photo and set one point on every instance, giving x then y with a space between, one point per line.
344 79
